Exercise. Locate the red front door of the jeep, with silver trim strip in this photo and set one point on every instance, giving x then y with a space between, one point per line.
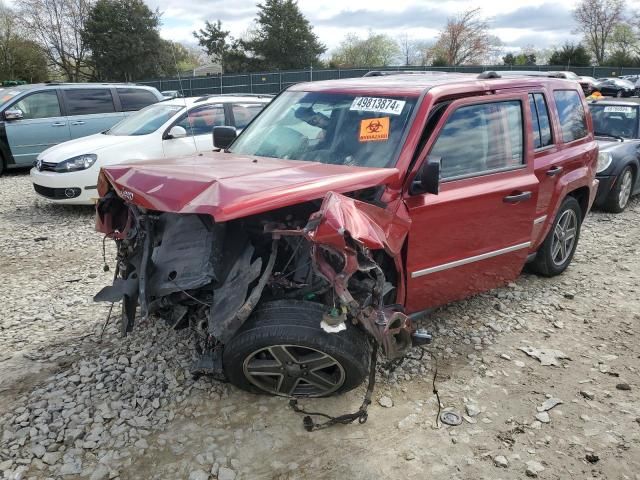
475 234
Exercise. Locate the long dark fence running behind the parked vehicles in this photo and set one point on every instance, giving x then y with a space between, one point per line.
274 82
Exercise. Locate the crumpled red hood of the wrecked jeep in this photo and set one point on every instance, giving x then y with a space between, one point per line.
228 186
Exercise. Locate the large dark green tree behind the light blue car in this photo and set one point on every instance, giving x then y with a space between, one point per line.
124 40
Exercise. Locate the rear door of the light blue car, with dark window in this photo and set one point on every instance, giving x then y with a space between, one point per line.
90 110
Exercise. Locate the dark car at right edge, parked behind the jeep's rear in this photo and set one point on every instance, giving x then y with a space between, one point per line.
616 125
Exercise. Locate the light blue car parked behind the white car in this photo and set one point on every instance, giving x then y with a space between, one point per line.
36 117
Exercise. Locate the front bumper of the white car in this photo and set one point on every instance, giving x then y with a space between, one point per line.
74 188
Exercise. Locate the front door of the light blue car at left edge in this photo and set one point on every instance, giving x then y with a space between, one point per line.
42 125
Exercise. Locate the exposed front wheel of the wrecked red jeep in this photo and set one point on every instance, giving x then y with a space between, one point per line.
290 330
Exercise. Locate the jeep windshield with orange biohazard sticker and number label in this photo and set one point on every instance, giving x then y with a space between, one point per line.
331 128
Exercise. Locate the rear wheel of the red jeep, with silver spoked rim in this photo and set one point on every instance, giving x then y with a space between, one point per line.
549 261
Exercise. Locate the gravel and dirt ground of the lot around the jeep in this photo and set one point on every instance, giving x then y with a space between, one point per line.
72 407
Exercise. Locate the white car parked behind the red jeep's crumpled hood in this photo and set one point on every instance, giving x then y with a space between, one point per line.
68 172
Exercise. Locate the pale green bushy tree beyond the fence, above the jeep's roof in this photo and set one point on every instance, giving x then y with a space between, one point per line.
377 50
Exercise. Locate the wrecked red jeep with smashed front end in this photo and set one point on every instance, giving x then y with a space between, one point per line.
345 210
